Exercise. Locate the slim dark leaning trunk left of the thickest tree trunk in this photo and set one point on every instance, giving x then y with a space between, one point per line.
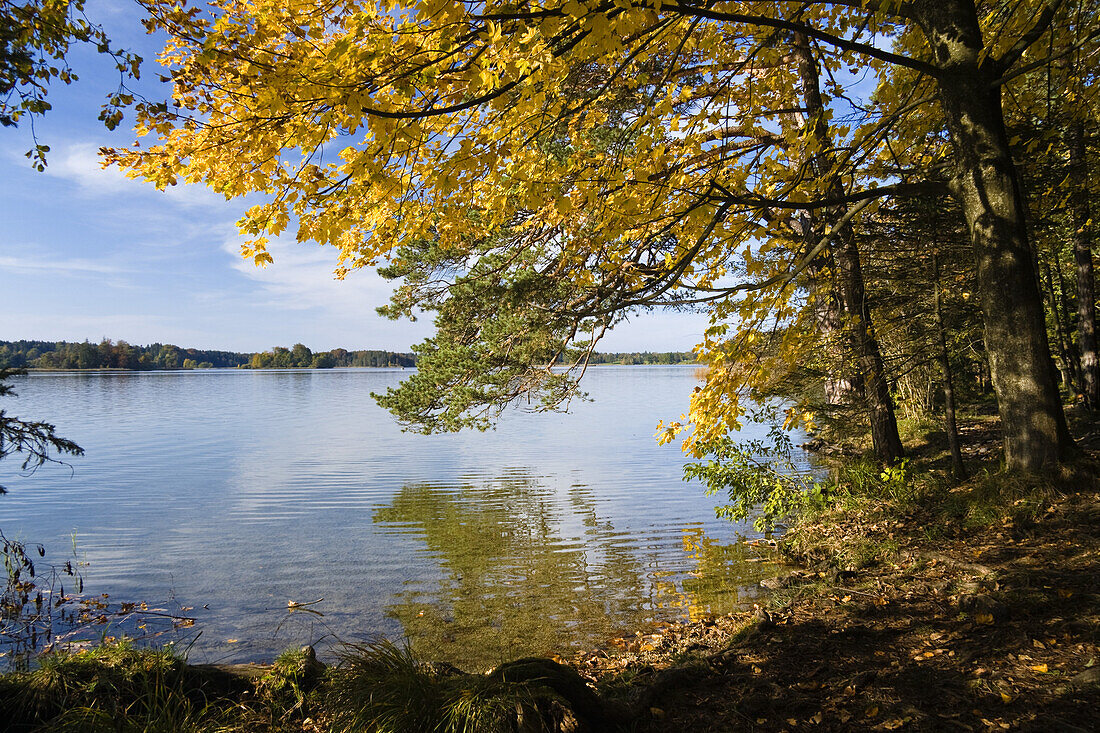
885 436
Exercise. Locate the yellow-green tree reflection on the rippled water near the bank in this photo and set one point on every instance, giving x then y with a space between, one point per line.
526 573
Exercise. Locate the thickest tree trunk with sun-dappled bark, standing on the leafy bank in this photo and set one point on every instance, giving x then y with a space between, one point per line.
988 188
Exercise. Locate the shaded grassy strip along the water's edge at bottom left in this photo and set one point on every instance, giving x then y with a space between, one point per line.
376 688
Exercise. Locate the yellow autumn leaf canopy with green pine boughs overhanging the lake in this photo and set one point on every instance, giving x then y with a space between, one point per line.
565 162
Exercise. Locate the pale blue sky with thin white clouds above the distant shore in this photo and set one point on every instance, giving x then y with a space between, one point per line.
86 254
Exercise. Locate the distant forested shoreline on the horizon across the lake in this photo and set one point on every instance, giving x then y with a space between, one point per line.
120 355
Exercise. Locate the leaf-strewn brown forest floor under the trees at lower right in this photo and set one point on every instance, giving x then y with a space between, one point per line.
969 607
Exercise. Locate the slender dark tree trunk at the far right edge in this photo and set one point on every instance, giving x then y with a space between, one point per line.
1083 256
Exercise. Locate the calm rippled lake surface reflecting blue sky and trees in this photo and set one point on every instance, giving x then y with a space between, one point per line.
245 490
